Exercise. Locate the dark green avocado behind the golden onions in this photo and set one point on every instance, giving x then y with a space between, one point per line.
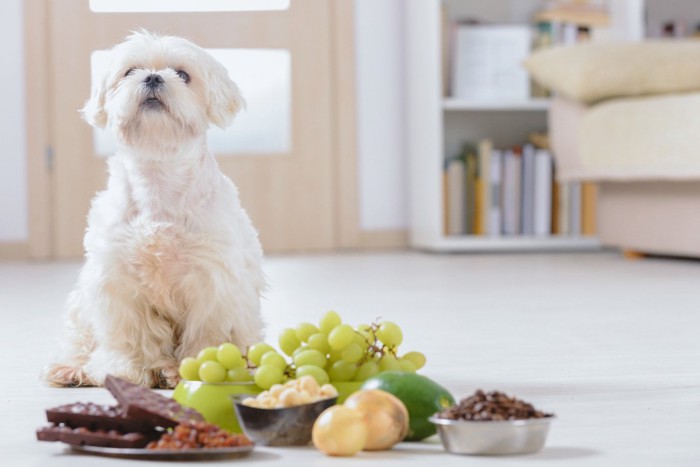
422 397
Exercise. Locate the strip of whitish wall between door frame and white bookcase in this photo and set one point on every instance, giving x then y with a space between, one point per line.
380 107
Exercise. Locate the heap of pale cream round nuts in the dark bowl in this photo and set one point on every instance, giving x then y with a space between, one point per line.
292 393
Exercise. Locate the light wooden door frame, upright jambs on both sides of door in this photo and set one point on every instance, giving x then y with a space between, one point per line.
39 138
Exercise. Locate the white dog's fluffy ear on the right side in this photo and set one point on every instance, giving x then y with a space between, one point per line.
225 99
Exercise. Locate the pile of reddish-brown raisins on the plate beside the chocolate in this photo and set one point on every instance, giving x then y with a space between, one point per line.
195 435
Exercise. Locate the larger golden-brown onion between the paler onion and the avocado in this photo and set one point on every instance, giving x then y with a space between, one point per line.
385 415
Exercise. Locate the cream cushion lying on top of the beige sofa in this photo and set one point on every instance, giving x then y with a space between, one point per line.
593 72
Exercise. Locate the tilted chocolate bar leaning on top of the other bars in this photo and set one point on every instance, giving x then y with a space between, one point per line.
149 406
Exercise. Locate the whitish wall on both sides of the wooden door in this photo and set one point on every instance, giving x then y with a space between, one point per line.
382 181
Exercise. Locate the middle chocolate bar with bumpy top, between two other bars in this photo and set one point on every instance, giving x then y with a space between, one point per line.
96 417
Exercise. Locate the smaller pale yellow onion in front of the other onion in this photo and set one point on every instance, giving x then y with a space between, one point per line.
339 431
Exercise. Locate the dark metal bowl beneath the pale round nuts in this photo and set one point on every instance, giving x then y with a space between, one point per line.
279 427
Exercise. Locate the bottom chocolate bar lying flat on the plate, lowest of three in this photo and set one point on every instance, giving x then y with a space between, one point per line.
102 438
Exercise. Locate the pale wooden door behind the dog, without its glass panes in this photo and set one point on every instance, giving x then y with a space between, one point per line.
291 196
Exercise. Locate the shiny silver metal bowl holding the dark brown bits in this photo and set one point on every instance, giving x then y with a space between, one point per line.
492 437
